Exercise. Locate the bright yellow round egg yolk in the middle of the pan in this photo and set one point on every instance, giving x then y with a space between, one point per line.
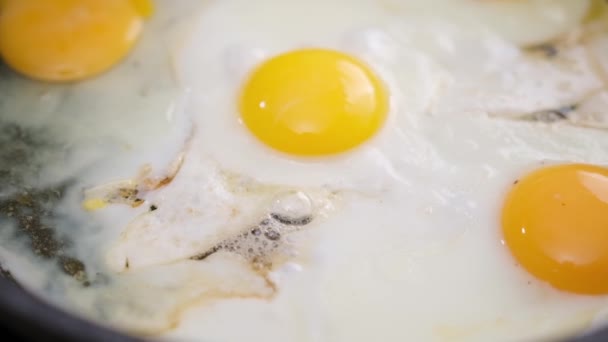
313 102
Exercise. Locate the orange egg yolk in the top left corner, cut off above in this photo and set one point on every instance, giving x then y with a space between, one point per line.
68 40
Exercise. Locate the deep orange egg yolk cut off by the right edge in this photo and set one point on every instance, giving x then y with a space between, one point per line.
555 222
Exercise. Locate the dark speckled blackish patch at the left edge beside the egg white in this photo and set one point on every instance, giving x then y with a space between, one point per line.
32 210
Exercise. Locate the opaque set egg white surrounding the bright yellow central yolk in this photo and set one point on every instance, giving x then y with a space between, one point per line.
405 241
